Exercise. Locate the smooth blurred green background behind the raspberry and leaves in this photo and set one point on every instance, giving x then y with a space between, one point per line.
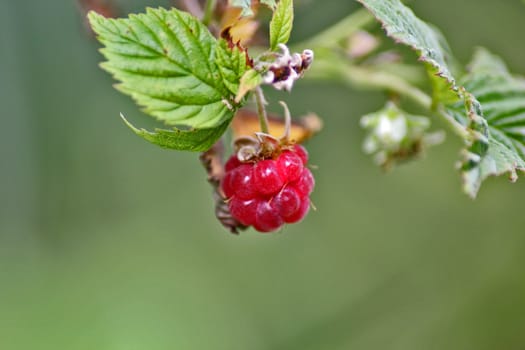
108 242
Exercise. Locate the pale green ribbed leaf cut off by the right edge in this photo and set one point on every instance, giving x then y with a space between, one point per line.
495 104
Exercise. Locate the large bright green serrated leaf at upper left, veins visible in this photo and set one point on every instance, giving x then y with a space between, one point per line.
167 61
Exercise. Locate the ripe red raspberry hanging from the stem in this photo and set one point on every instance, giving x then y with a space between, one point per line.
270 192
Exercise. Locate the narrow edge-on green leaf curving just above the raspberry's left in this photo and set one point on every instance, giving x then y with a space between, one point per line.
197 140
